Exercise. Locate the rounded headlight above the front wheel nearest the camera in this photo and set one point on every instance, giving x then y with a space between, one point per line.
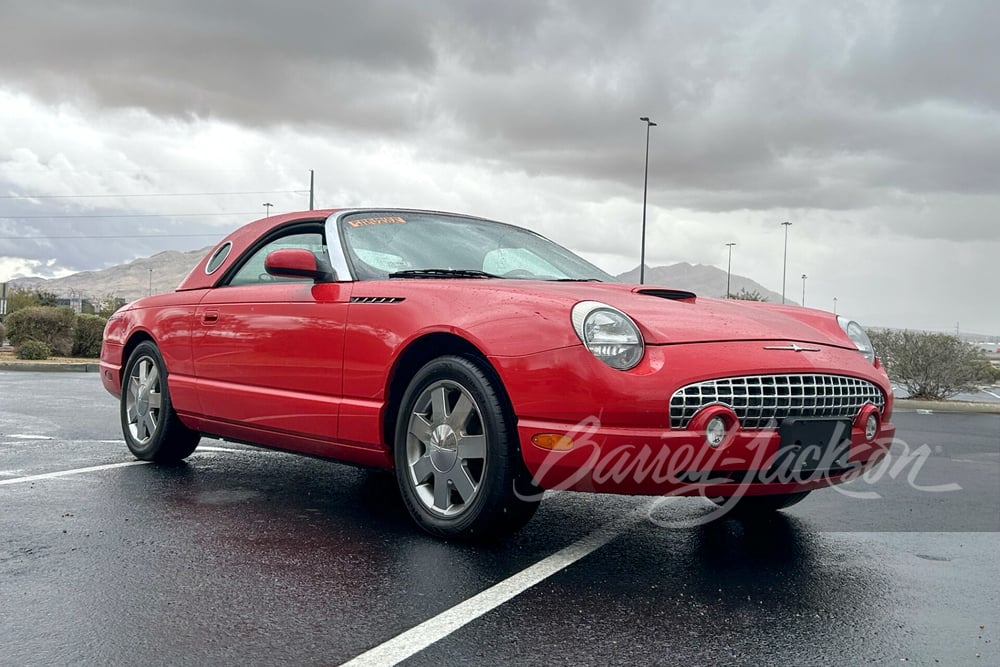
609 334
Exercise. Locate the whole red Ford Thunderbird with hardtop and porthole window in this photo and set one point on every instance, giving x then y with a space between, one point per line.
483 364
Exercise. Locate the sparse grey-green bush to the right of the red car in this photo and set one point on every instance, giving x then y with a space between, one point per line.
930 366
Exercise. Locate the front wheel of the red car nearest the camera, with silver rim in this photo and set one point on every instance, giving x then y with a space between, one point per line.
457 458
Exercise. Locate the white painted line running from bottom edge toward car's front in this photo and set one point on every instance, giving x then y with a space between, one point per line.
418 638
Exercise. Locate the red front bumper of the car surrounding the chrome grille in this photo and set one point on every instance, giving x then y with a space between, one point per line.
611 432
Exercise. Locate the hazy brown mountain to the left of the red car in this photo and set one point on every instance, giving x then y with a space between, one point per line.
160 273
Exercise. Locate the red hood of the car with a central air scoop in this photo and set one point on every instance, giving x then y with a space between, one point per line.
669 316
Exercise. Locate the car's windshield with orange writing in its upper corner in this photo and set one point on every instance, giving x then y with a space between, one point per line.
381 244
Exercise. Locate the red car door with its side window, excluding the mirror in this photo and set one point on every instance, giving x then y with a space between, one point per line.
268 351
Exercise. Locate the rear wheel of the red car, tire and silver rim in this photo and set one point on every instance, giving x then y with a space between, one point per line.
152 430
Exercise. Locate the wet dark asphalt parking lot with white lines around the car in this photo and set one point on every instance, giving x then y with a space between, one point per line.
245 556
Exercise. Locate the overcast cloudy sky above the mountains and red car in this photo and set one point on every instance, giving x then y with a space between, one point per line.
128 128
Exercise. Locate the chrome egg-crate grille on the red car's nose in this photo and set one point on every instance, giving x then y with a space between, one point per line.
757 399
